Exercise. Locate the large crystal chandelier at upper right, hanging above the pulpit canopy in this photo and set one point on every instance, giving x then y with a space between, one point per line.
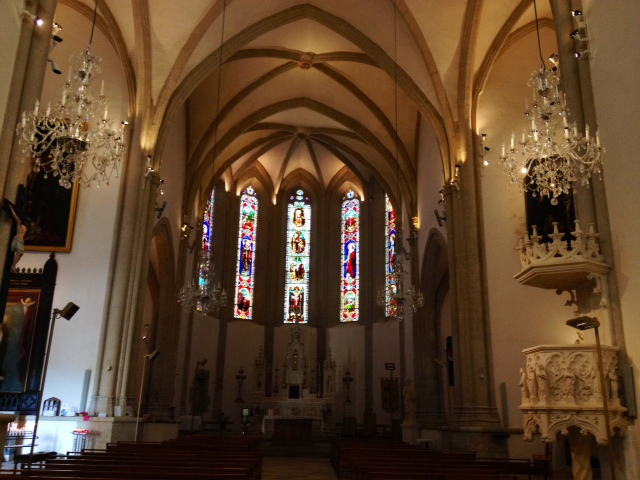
552 154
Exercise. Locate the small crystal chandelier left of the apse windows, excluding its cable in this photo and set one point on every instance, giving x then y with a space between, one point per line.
203 296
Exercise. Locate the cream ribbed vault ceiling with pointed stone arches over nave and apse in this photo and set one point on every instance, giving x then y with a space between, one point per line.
375 71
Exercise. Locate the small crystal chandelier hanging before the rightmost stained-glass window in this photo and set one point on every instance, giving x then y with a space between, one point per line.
401 294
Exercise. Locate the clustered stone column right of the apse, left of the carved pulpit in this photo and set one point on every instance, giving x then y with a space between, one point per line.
474 402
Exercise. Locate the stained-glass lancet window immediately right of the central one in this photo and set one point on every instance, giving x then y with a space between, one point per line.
350 292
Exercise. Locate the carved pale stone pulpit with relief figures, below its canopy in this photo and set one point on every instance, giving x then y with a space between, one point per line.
560 387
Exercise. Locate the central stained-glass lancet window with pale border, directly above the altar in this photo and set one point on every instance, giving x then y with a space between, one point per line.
296 297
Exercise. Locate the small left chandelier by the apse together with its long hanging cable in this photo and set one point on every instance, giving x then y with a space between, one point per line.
205 296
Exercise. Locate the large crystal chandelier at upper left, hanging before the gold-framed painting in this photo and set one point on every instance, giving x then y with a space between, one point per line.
75 139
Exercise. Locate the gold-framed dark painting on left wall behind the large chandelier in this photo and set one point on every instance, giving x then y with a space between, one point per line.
51 211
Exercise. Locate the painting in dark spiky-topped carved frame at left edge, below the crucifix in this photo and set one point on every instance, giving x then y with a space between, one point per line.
25 326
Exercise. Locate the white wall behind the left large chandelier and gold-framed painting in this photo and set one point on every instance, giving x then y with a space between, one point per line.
82 273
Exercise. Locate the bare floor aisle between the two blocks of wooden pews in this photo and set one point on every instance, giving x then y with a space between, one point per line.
283 468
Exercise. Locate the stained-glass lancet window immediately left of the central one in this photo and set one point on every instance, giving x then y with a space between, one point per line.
245 274
